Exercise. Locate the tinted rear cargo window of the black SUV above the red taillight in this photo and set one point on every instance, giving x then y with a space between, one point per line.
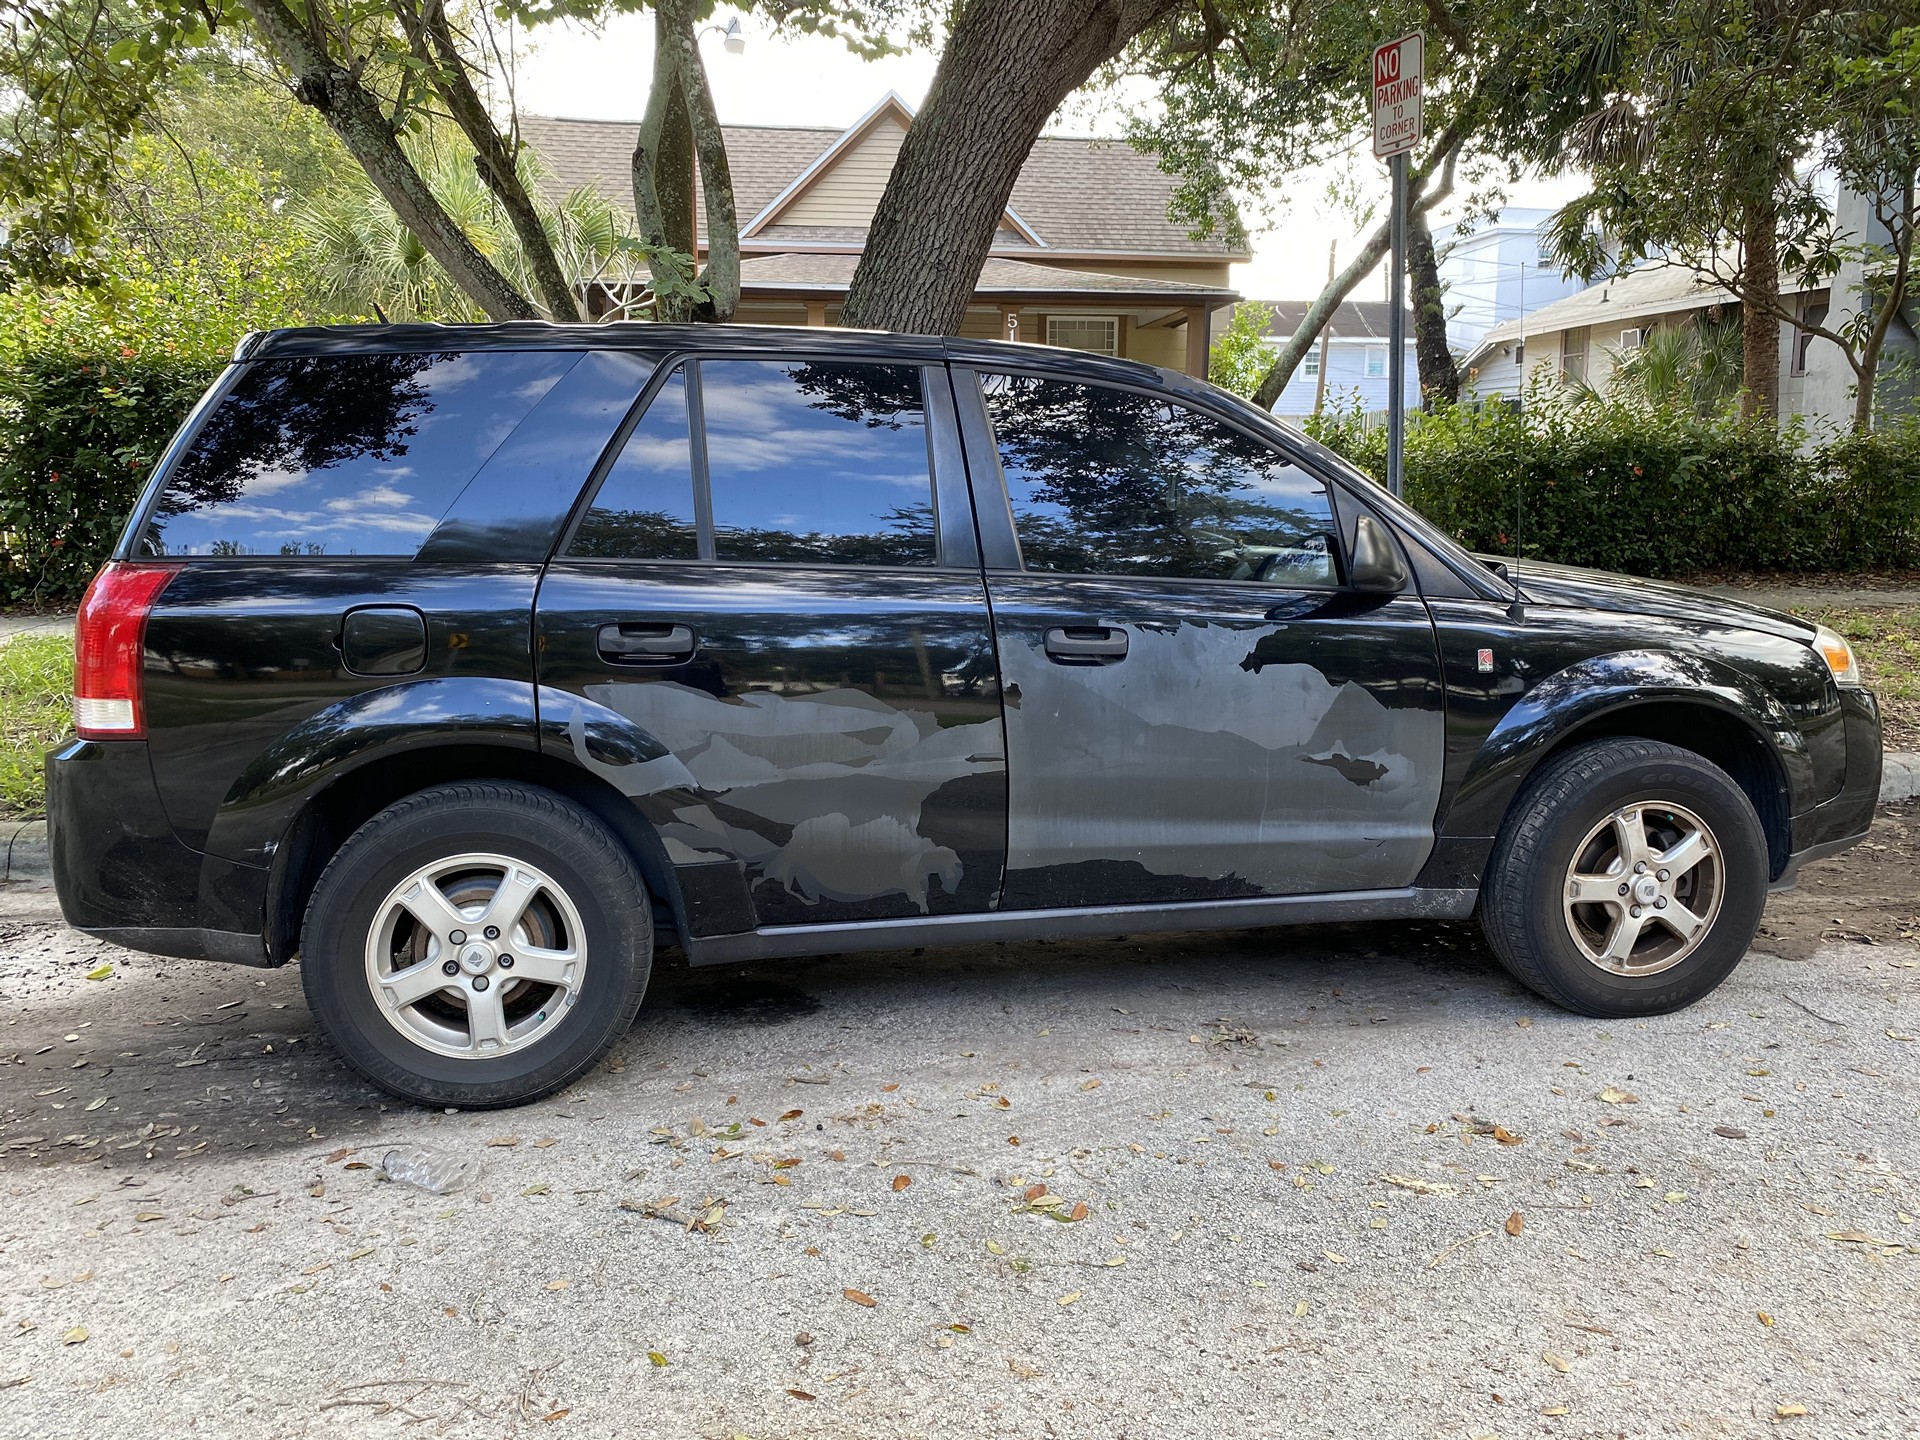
345 454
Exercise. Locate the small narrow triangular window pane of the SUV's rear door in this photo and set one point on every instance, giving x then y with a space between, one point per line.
644 510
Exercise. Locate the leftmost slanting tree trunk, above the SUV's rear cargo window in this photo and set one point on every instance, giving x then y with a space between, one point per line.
364 130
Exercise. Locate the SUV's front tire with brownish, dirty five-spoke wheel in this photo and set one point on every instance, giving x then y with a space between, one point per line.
1552 905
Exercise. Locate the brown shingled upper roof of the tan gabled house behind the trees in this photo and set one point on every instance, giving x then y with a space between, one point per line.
1072 197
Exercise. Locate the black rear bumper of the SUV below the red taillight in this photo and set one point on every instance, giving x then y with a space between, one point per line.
124 875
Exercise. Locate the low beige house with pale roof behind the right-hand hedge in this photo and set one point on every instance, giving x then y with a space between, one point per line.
1587 335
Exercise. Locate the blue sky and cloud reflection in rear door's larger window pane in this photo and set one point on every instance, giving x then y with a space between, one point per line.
779 460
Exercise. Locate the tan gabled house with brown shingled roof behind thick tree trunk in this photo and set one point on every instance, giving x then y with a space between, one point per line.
1084 258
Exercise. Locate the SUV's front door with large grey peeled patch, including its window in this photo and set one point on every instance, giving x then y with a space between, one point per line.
1197 706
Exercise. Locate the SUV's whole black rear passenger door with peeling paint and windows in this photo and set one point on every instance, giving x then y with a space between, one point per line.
777 585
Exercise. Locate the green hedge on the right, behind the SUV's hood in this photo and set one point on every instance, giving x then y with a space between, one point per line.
1656 492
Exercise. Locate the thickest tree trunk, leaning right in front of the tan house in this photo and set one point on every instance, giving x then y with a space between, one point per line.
1003 74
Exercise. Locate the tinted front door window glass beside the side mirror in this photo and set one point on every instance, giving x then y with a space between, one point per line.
1115 483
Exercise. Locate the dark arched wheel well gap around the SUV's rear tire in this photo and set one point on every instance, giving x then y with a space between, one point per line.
331 817
